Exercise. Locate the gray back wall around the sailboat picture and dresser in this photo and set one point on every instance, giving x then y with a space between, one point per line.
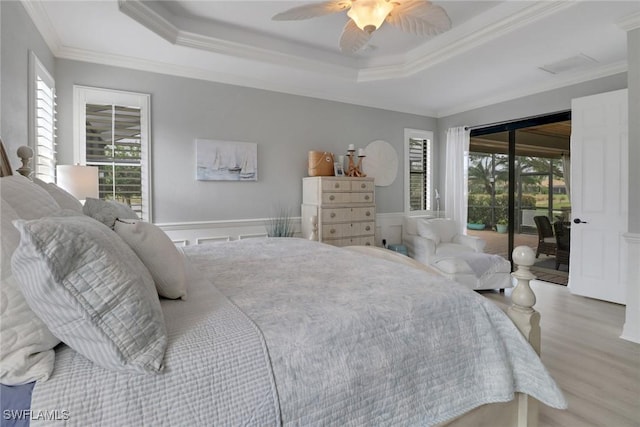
285 127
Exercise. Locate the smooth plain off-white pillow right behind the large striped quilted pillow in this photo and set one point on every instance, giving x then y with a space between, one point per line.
159 255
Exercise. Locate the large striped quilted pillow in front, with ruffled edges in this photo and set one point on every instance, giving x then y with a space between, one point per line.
92 291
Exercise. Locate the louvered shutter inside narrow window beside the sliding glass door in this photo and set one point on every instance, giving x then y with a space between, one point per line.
419 174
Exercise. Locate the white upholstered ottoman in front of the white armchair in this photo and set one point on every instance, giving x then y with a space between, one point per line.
476 270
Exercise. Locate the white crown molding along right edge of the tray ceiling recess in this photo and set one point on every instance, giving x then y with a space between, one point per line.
470 39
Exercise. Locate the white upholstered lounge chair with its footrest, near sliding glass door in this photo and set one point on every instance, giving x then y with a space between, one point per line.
436 242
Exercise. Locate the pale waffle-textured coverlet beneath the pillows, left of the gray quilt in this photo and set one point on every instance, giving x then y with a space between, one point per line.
216 373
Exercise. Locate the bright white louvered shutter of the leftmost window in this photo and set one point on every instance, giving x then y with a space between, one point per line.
45 130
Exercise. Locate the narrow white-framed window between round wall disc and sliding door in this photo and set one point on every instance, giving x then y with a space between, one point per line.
418 173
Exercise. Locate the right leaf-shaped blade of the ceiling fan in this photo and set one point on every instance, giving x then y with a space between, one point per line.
419 17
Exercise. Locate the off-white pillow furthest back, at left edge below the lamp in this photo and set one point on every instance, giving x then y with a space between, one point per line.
29 200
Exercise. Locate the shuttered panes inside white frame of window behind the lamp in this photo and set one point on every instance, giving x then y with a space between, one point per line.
113 144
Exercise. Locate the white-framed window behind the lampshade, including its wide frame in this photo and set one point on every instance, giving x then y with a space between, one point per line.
112 133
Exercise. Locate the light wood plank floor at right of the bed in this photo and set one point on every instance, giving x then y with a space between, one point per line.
598 372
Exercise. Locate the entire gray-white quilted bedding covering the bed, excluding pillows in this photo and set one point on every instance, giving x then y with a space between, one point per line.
287 331
